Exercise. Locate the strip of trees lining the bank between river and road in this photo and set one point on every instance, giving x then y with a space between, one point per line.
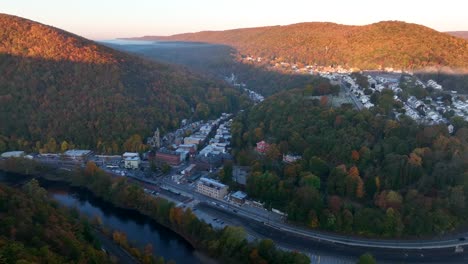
228 245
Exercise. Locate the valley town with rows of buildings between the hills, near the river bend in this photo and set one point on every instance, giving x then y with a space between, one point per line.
182 166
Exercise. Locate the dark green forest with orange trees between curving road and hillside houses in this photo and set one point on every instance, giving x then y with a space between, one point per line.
360 172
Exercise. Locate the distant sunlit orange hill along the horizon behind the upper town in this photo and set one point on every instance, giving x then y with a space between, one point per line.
385 44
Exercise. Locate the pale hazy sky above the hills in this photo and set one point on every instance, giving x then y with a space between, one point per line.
105 19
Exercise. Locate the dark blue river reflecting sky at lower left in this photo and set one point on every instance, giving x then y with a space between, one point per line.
140 230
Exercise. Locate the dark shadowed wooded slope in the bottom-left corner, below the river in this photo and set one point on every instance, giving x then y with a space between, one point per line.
34 230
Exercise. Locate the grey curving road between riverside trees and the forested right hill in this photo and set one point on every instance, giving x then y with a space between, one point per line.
297 237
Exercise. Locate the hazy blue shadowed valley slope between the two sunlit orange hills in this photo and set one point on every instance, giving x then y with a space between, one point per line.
218 61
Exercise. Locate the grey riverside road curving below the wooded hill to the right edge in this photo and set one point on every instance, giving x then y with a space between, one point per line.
450 249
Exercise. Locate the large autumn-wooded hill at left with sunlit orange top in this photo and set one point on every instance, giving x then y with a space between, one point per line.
56 87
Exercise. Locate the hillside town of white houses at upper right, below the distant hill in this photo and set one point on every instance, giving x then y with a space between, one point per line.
425 102
